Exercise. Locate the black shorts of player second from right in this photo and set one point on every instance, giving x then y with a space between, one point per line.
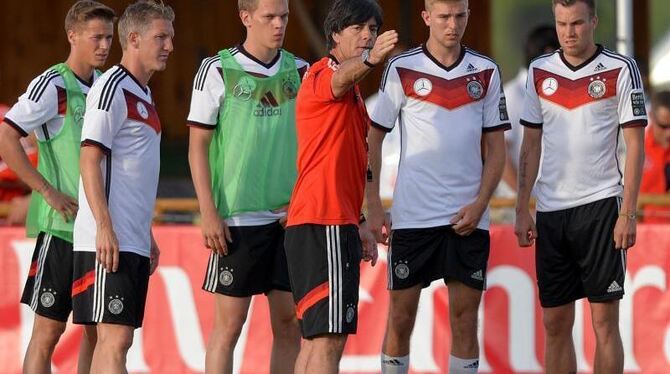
420 256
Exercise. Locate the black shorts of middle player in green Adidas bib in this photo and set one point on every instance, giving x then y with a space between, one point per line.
255 264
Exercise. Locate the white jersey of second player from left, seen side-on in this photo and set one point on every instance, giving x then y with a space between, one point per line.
122 121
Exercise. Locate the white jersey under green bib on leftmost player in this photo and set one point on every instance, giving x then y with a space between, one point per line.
42 107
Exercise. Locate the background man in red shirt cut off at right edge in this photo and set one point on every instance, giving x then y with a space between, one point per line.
656 172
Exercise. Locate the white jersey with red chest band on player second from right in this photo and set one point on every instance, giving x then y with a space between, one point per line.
442 112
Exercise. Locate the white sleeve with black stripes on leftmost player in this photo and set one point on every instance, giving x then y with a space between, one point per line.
36 106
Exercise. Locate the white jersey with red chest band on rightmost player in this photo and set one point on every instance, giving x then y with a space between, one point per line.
581 110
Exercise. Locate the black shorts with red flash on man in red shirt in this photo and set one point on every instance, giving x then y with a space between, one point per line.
324 268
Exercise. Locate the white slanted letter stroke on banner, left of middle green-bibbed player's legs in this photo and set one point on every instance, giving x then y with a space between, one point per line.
188 332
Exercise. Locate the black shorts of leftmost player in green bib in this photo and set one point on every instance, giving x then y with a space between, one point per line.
49 282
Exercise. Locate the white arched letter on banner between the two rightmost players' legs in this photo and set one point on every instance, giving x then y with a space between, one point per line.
521 295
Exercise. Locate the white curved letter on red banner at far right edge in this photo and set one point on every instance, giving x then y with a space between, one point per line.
647 276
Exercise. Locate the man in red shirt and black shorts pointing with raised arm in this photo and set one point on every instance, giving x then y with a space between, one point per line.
323 242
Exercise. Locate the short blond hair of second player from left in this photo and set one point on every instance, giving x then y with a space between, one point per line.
138 16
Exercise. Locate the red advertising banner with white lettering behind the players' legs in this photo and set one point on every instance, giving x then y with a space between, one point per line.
179 314
